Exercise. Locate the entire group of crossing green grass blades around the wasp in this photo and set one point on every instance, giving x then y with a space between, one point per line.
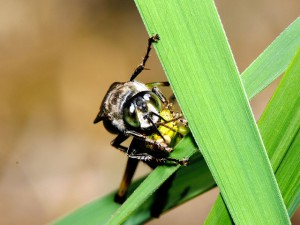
197 60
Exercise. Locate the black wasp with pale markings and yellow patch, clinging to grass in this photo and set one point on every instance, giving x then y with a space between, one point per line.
141 111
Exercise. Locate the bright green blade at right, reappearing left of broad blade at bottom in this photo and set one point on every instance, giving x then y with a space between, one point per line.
279 126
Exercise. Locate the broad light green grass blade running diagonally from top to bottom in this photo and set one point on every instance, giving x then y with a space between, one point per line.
197 60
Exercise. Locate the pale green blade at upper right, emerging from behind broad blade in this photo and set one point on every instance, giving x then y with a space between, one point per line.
273 61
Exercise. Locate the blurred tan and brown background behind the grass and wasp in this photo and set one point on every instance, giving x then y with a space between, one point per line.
57 60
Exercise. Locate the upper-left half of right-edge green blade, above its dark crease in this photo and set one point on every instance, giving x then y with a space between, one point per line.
284 111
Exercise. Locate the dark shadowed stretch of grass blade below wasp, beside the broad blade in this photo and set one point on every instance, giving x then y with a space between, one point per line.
189 182
